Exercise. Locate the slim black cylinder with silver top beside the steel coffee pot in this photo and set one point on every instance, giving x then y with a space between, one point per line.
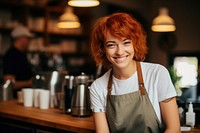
68 91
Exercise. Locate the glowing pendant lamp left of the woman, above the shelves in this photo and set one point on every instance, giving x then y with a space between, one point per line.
68 19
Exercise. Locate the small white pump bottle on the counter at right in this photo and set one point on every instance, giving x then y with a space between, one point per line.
190 116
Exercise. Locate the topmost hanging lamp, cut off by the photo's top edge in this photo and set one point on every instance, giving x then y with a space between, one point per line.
83 3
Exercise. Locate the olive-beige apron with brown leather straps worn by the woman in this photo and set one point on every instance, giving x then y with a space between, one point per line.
132 112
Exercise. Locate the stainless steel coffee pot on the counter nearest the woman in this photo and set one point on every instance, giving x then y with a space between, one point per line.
80 105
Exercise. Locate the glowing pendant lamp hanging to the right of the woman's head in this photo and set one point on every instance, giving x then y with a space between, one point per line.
163 22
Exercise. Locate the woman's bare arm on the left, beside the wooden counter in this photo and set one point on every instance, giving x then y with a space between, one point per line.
101 124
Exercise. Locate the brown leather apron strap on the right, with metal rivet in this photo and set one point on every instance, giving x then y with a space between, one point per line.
140 78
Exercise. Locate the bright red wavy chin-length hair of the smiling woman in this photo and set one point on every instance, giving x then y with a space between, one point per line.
119 25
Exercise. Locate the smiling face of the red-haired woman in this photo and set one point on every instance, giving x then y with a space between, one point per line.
119 51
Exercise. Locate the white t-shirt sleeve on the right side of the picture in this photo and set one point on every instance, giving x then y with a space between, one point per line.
164 84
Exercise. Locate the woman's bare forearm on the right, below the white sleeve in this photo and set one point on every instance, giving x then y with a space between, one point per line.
170 115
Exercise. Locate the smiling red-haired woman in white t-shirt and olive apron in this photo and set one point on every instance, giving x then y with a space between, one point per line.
132 96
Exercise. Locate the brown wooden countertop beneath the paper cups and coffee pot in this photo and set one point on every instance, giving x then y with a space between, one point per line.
54 118
